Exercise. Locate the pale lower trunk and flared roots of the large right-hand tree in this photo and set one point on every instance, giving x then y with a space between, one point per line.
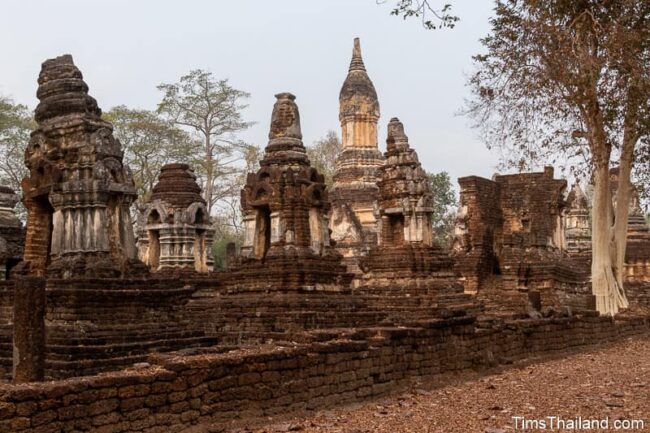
605 287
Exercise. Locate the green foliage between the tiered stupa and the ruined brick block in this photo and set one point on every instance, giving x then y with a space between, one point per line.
444 207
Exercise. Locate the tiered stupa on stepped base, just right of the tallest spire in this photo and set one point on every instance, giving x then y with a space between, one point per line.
406 254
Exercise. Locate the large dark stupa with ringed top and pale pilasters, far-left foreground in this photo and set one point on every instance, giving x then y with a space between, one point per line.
78 192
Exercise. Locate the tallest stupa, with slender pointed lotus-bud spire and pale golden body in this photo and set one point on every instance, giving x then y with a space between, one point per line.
355 191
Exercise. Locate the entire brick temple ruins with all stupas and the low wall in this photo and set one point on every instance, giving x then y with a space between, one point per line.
286 328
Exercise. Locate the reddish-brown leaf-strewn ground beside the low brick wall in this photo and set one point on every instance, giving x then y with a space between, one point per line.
608 387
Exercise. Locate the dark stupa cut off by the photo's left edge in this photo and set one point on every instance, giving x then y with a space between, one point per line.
12 233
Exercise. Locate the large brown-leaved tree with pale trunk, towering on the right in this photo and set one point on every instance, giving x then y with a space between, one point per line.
570 79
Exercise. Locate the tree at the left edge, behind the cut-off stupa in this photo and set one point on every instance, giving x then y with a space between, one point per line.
16 123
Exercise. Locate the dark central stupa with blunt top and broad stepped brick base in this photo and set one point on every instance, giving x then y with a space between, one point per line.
285 206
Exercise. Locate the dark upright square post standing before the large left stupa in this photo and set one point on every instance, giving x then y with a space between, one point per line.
29 330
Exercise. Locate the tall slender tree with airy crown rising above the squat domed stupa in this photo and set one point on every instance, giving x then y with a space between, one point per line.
211 109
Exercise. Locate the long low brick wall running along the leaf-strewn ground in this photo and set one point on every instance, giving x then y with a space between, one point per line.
178 390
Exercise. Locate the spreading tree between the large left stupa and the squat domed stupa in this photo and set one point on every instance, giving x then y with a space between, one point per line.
149 142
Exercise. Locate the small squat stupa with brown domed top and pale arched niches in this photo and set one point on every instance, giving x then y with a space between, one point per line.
175 231
